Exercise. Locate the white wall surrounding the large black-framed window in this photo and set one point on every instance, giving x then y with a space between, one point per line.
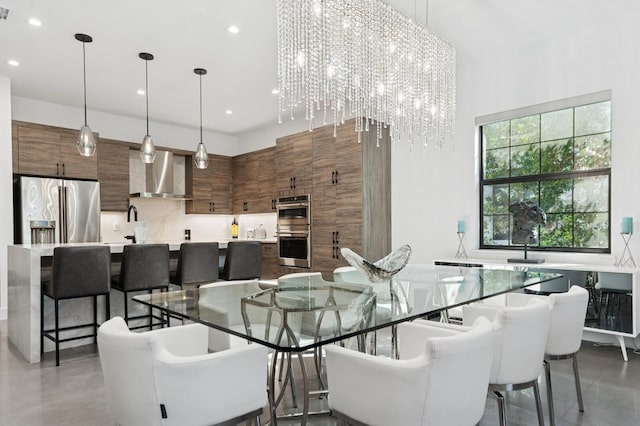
431 194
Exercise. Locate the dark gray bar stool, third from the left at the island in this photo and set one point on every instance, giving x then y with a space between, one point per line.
197 264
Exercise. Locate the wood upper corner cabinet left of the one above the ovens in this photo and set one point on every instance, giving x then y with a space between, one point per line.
254 182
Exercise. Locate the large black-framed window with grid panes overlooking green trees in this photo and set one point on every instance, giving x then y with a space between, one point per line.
558 157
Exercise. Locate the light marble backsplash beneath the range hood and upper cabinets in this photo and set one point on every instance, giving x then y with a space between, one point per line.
167 222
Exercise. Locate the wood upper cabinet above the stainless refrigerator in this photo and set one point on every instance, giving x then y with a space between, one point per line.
51 151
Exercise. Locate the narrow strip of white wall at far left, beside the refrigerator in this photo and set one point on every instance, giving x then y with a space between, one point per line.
6 188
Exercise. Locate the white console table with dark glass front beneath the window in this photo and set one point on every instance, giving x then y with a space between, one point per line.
613 293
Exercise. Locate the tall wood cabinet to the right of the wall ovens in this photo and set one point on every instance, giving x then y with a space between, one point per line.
351 197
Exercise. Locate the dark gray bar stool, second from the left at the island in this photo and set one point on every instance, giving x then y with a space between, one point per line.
144 267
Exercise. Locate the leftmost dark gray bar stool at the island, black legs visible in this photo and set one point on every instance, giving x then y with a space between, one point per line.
76 272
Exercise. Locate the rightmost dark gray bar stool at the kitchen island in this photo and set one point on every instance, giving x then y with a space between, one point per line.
243 261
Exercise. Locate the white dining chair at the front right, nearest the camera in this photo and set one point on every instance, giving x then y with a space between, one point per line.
444 368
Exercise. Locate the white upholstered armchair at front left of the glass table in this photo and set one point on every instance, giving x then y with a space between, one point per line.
166 377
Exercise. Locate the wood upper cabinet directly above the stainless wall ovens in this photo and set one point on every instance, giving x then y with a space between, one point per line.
294 162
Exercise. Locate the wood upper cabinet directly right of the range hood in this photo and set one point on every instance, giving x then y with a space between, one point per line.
211 187
